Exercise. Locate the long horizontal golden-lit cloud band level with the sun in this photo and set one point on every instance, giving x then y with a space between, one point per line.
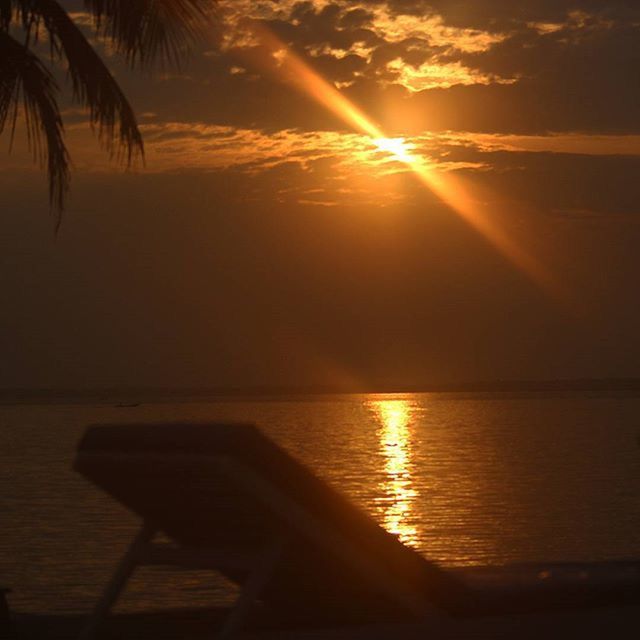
550 174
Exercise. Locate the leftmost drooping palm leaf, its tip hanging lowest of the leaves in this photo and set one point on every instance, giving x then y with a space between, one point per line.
24 78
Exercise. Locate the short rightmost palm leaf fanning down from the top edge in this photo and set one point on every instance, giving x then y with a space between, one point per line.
146 31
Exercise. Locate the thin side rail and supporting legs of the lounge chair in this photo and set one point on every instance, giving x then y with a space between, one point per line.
260 565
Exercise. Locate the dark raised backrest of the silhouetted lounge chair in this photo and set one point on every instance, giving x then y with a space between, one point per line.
220 485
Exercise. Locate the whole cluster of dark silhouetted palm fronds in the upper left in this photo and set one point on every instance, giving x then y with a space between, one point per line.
144 31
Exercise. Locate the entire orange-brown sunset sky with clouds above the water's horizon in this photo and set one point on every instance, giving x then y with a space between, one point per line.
359 195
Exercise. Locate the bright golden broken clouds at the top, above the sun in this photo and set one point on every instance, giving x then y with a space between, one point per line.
331 32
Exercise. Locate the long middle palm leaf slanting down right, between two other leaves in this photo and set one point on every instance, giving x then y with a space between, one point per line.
93 84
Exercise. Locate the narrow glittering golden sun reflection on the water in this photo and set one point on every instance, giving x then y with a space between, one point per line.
394 417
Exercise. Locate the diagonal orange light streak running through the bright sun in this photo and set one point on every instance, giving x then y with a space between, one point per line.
452 190
